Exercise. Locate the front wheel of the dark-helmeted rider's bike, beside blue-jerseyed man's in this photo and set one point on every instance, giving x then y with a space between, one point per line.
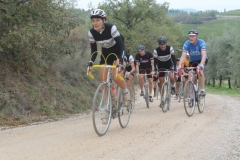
165 97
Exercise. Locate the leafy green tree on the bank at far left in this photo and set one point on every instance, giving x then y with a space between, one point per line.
35 33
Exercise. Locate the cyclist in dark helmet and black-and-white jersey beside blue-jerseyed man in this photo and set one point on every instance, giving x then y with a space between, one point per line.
164 58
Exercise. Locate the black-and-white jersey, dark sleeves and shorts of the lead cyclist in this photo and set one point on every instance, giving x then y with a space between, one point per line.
111 42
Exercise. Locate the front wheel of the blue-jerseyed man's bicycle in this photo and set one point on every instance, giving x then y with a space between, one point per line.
189 98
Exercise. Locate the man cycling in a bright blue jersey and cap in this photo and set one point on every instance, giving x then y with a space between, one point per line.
197 56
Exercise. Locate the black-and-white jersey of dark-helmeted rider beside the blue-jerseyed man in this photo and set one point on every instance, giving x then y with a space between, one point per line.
164 59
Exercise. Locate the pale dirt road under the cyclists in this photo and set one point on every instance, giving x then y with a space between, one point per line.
151 134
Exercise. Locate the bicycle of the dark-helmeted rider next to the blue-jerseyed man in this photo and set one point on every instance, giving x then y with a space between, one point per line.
165 99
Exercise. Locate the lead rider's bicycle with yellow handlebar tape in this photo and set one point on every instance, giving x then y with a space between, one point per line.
106 106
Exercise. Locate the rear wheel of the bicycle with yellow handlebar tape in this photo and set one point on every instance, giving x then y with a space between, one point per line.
124 112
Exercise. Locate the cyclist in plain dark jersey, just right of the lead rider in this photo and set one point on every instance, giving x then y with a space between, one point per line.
144 64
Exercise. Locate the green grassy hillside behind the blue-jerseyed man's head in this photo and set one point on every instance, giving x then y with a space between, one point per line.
215 27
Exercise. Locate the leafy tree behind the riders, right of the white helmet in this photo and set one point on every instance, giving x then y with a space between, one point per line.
141 22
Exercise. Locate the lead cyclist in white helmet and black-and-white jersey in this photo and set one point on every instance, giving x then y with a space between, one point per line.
107 36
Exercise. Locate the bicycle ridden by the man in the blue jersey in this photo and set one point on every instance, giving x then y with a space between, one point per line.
191 95
